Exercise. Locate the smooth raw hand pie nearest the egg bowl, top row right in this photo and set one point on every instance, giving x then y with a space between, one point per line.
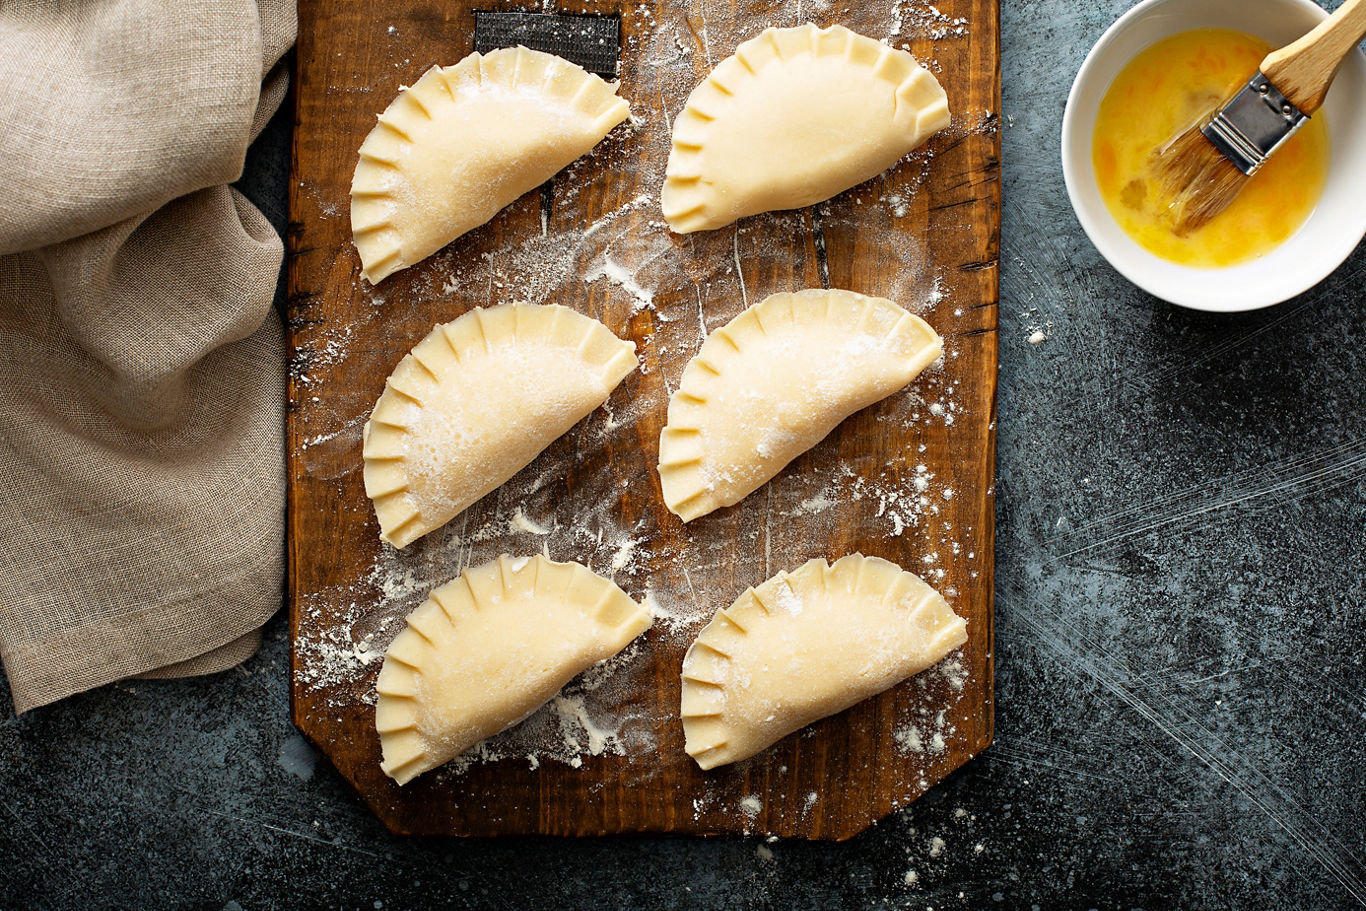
796 117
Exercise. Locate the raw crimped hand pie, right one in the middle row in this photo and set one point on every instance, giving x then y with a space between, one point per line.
774 382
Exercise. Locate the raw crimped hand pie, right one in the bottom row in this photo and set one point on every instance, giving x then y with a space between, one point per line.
807 645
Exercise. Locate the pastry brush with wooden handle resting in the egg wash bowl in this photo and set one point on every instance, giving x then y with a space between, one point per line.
1203 170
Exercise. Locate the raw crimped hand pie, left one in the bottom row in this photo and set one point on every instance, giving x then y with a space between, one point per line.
487 651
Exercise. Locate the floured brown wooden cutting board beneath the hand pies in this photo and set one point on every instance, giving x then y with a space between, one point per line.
909 480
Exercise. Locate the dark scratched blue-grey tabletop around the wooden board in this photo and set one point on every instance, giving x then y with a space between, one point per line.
1181 637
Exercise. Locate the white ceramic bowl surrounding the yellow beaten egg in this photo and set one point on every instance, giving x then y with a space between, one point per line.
1331 233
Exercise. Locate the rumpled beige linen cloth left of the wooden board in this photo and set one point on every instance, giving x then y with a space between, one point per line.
141 360
